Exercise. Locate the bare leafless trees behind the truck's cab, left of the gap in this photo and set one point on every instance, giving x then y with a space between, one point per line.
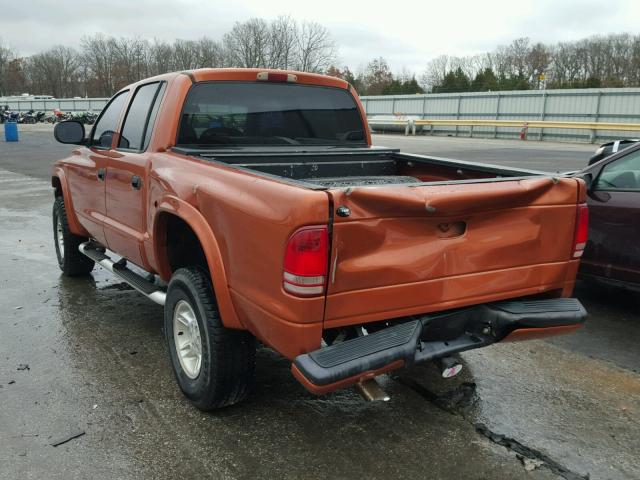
104 64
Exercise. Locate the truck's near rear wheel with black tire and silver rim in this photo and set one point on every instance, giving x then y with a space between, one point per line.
224 374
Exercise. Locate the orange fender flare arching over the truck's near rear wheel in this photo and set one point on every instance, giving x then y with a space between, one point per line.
194 219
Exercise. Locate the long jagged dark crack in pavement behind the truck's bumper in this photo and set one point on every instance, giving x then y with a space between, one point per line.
463 397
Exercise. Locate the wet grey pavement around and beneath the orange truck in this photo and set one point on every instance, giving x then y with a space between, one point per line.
86 358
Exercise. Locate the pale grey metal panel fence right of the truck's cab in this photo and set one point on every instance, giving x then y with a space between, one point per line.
612 105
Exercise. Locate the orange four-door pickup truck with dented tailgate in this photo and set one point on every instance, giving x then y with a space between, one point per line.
252 205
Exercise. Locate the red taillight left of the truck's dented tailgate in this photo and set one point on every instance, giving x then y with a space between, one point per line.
305 261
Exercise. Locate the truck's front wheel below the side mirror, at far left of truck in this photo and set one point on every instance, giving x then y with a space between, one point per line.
70 260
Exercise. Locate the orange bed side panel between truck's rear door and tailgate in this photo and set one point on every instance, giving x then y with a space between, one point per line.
251 218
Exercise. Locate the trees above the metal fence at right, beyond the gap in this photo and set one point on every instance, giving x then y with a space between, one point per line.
598 61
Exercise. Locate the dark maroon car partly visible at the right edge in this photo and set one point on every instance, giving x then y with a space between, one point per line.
612 254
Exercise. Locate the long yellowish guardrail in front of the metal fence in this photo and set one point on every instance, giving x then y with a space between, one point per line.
524 125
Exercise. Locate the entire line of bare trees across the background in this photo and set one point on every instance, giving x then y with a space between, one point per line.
103 64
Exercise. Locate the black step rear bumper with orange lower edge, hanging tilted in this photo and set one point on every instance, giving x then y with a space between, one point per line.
428 337
